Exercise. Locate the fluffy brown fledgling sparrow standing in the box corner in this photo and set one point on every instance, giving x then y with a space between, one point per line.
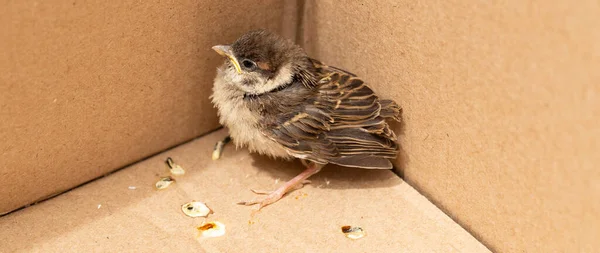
277 101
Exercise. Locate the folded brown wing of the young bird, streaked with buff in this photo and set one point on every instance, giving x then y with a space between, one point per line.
344 124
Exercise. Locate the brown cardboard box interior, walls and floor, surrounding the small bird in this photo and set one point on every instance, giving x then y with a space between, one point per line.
500 102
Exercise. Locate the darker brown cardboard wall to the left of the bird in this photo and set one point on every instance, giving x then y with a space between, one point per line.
87 87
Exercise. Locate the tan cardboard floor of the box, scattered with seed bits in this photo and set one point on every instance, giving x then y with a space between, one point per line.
106 216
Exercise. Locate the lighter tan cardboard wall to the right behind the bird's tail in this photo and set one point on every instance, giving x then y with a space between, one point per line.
501 101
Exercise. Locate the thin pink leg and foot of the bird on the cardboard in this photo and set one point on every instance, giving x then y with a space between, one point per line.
295 183
